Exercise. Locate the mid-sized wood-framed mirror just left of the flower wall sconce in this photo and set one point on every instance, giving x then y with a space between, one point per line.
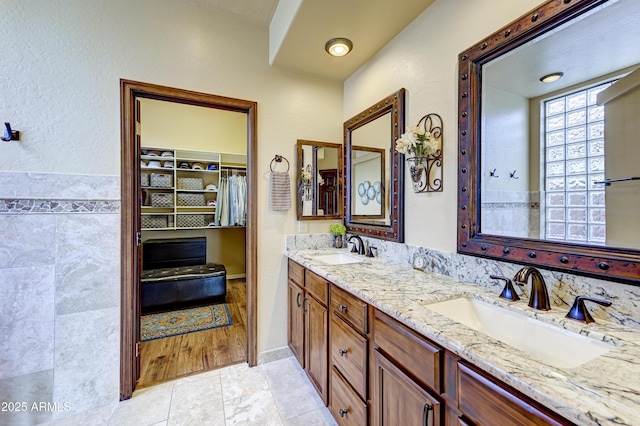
374 171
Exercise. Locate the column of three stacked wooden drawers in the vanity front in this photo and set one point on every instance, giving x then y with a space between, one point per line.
349 348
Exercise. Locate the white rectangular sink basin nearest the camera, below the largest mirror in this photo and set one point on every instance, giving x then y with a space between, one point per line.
552 345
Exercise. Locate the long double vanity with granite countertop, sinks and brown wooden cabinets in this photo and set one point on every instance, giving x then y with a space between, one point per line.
384 343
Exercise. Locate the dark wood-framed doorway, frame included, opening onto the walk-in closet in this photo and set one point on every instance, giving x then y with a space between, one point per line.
188 238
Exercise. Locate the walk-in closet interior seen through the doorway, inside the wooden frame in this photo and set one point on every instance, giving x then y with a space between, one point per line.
193 181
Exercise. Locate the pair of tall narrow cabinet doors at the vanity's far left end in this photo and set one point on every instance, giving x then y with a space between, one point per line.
308 324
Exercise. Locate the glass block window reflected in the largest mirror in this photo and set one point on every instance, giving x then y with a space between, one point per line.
574 160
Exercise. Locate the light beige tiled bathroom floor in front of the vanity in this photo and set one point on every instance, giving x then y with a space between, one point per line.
271 394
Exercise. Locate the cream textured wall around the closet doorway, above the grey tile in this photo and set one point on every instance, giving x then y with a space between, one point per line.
60 87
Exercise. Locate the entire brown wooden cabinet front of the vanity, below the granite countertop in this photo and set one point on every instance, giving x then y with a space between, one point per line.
371 369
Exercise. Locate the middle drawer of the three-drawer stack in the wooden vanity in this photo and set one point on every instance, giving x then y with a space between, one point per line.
349 354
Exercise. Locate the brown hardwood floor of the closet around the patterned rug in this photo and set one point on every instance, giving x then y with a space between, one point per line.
177 356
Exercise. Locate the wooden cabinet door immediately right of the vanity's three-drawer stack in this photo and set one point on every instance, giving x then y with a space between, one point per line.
398 400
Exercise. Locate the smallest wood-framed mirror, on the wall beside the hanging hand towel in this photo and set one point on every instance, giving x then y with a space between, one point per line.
319 180
